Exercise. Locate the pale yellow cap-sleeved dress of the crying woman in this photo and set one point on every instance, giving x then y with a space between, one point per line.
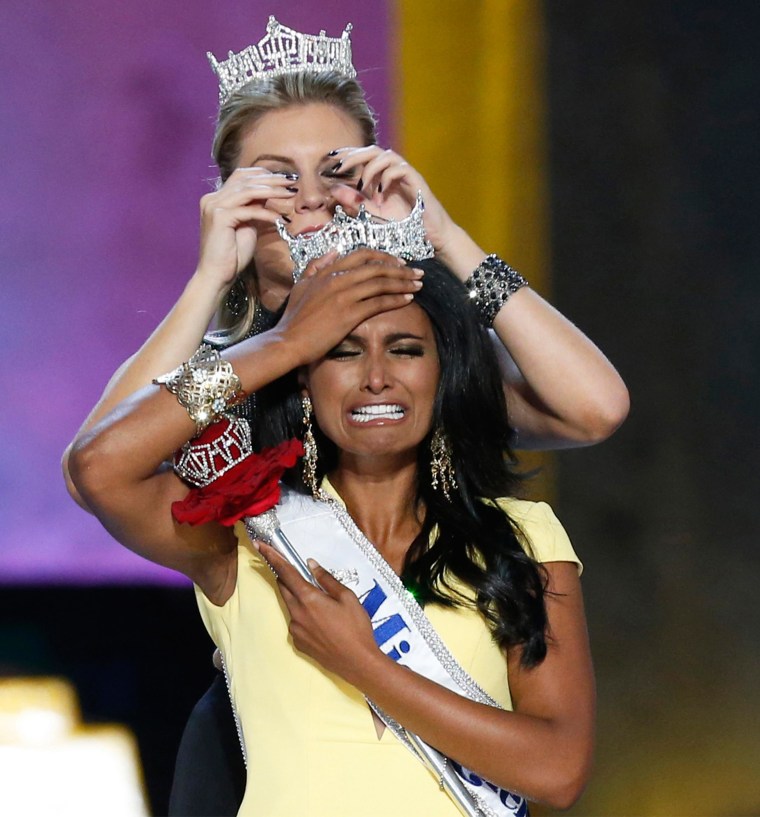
311 742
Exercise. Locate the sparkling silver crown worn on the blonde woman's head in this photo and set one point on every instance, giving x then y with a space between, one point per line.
283 51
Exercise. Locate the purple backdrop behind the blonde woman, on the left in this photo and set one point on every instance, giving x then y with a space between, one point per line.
106 129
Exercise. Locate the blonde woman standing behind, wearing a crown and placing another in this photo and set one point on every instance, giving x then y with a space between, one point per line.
293 146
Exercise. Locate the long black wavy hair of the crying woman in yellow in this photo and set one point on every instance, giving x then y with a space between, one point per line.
477 543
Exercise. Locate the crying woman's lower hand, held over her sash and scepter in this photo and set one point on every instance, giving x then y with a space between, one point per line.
331 626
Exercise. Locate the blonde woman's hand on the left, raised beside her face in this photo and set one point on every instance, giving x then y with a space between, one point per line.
229 218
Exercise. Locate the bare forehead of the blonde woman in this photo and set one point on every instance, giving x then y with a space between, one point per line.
316 127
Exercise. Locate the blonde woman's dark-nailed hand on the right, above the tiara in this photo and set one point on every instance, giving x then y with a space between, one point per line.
387 185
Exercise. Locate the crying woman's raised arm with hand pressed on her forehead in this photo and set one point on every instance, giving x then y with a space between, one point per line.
117 465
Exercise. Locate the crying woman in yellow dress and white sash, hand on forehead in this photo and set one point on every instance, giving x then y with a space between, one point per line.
409 429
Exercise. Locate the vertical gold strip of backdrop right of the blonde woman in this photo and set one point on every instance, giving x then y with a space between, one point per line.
470 115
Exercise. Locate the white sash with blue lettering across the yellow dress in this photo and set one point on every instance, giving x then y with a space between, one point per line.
324 531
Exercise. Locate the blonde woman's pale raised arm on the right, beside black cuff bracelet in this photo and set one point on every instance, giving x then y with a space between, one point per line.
561 390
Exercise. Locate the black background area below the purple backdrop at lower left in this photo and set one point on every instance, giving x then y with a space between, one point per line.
135 655
